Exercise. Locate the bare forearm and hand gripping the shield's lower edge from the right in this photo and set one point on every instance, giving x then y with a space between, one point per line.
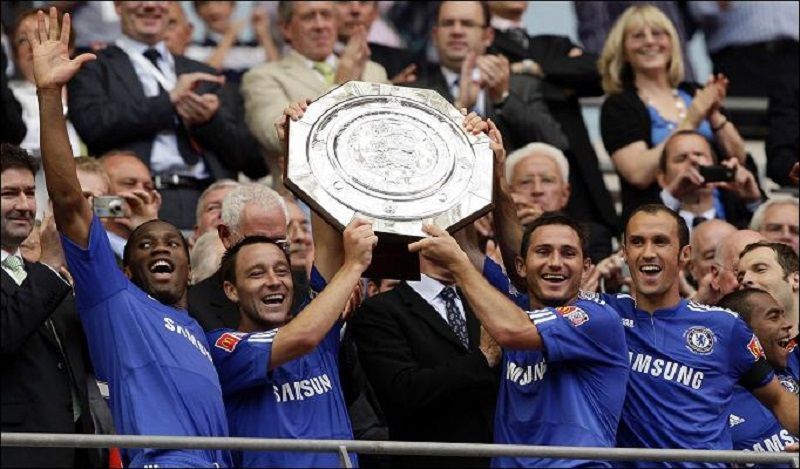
504 321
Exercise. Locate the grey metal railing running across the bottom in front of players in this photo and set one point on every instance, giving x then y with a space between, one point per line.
343 447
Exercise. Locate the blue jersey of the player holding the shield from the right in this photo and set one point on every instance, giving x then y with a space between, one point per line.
571 392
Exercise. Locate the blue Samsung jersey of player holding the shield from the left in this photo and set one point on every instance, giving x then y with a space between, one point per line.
299 399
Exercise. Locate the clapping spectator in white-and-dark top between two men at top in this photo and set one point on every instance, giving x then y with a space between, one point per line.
221 47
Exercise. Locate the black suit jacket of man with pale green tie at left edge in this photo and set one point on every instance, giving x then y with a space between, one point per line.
37 376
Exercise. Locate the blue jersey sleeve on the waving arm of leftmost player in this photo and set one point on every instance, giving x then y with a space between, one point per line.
94 269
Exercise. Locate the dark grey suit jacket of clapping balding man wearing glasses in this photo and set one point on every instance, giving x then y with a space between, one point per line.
524 116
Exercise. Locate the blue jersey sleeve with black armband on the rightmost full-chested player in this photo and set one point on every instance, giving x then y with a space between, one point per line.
747 360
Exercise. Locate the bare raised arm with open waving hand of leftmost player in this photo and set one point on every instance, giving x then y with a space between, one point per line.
52 69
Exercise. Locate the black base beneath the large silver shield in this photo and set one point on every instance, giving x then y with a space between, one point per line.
391 259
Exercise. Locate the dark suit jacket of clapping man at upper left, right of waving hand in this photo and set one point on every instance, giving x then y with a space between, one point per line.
109 110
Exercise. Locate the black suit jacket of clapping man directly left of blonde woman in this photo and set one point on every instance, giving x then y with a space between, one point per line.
566 79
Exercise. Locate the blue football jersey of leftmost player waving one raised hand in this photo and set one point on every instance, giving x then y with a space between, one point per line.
155 359
